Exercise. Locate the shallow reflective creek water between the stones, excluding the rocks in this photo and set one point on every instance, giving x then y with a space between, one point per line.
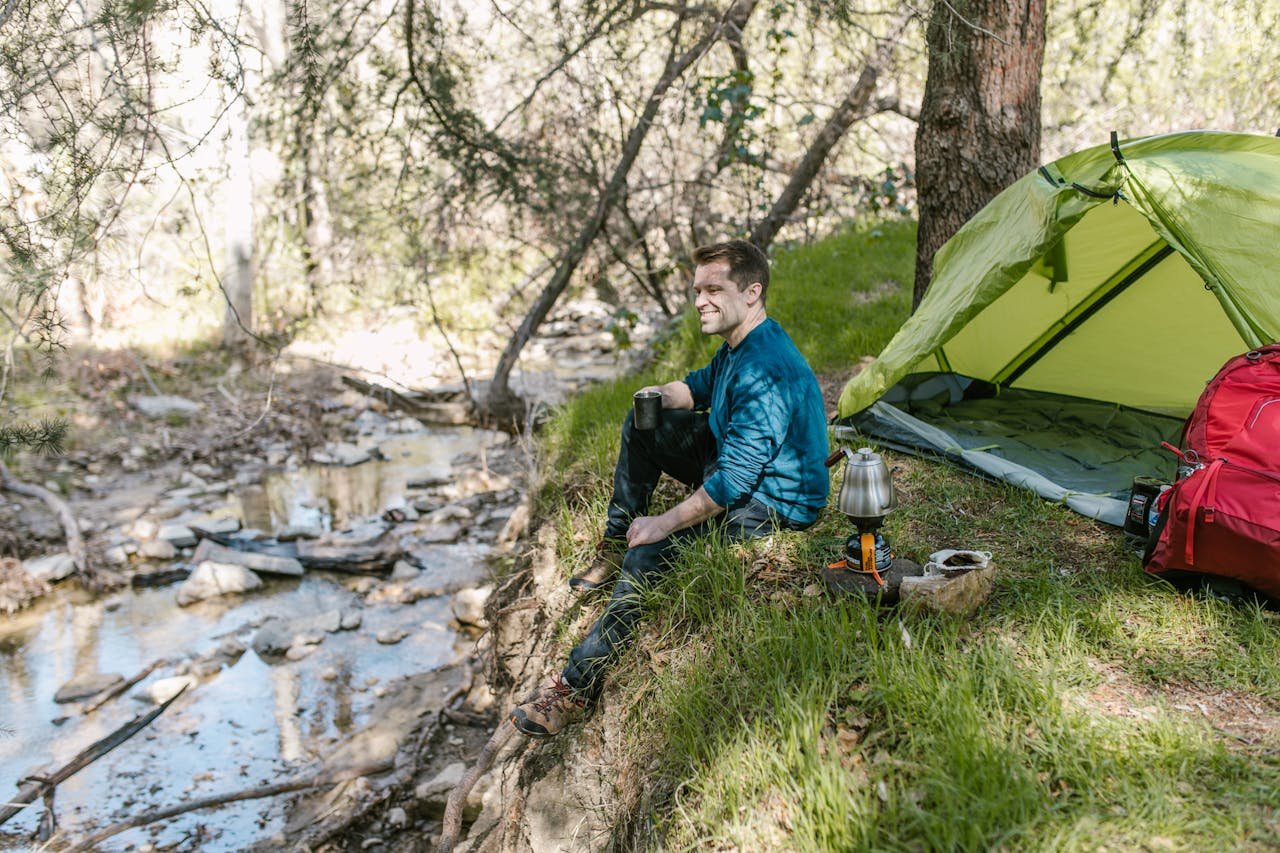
253 722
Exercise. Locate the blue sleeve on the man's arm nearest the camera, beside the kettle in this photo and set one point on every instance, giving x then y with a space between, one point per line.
760 416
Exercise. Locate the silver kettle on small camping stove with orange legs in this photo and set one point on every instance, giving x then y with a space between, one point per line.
867 496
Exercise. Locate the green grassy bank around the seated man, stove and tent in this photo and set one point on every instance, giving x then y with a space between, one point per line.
1084 708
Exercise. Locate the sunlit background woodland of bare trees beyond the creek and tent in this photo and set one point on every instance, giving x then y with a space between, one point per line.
260 175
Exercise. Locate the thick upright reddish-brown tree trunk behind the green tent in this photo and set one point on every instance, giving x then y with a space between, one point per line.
980 121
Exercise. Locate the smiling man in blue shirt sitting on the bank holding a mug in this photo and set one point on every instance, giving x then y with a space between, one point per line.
749 431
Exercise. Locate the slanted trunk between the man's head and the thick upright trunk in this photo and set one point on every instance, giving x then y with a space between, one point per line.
856 106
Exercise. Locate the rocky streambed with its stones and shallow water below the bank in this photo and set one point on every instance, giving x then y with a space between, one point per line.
307 615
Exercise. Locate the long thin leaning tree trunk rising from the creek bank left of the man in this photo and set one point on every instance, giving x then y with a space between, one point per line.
501 403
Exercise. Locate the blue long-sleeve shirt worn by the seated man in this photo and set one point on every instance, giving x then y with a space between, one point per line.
767 416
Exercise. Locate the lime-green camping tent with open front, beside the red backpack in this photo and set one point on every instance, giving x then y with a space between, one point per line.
1073 323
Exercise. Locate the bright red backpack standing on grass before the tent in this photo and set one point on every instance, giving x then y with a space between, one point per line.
1224 518
